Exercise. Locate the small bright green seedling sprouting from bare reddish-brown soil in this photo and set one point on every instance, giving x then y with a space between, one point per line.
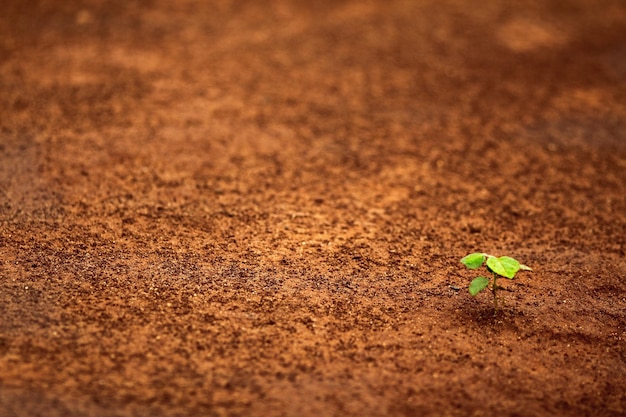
504 266
